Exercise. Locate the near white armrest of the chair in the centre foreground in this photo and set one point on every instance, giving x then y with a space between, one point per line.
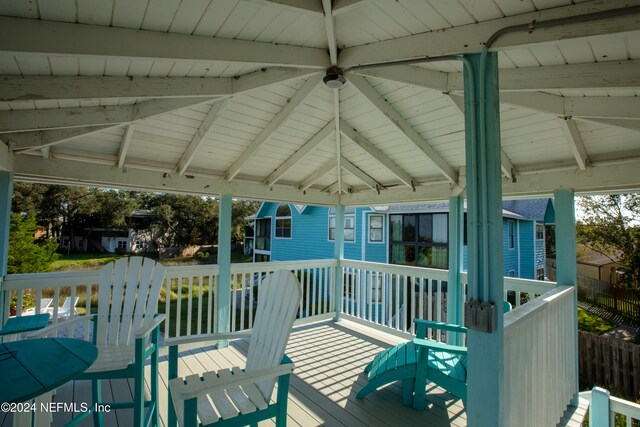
210 382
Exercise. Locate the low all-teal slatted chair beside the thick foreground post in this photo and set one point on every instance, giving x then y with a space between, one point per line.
420 361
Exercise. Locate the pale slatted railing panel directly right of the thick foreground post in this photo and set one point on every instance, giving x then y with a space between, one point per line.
540 359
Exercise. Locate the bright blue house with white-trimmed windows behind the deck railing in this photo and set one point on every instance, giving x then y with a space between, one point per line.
408 234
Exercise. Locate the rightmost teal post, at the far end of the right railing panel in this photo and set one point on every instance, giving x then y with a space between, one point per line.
566 269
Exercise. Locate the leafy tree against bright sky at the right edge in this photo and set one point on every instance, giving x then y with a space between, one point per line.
610 226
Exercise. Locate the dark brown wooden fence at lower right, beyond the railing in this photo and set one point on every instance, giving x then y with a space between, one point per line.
609 362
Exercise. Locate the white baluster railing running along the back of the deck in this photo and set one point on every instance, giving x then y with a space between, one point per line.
382 296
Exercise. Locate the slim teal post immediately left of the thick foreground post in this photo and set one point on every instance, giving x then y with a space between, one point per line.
455 295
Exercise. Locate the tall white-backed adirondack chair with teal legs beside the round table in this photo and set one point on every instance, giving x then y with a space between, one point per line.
126 331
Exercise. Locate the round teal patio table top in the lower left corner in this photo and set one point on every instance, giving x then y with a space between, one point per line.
29 368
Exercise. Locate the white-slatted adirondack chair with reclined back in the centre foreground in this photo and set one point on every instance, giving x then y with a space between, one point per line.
241 397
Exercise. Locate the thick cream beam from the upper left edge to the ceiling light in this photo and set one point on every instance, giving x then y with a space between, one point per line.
25 36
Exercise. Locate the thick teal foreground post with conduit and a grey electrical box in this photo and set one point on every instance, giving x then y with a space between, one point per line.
484 236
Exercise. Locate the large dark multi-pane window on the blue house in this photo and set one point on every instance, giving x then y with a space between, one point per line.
419 239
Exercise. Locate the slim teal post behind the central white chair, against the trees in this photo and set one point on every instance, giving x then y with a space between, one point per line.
223 290
